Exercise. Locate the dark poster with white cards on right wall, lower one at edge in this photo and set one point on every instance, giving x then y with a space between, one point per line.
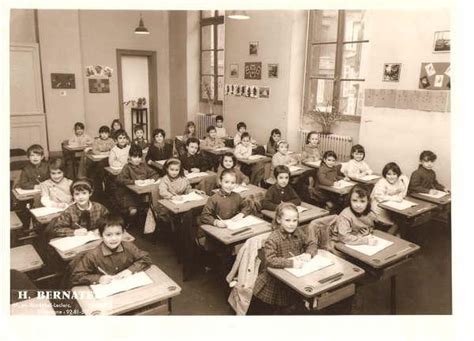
435 76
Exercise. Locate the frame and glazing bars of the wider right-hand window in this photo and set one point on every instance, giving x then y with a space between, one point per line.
337 79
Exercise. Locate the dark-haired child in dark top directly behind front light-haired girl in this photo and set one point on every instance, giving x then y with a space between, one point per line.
281 191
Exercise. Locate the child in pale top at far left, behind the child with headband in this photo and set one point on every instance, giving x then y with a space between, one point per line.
56 191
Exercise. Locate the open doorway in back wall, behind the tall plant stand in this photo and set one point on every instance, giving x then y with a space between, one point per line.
137 78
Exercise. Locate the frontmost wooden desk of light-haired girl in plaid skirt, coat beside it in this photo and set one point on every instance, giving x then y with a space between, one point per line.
326 286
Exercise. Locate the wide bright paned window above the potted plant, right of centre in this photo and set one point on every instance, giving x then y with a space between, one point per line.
335 46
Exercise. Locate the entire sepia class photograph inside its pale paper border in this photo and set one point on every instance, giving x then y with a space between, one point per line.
155 185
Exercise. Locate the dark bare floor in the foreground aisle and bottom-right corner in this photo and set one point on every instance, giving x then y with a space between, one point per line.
423 288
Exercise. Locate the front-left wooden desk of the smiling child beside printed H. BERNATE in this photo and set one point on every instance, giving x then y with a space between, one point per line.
151 299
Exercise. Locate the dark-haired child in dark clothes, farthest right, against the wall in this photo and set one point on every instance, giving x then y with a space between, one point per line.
423 180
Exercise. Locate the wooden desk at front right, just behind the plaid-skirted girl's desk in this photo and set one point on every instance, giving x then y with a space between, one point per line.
386 263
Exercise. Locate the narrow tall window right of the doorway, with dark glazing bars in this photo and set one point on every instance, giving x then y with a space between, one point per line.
212 55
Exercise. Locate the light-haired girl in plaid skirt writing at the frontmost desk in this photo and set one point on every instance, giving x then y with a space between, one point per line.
286 247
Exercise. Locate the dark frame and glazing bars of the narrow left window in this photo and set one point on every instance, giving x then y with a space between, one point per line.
210 21
